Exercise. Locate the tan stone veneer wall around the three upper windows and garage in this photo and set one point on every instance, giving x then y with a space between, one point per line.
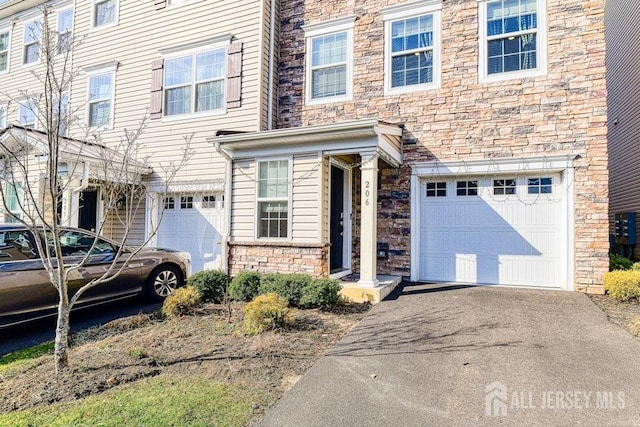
563 112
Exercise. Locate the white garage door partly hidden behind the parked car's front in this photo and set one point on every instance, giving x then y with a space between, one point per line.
194 223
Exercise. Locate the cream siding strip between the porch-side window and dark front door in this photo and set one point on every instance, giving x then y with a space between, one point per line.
306 191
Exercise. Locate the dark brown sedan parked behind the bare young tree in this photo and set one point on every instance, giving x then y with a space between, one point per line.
27 294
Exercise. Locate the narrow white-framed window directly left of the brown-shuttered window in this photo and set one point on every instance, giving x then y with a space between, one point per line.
100 99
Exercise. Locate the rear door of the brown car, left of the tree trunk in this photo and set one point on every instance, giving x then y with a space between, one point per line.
25 289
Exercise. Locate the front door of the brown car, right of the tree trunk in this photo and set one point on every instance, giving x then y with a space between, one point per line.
75 245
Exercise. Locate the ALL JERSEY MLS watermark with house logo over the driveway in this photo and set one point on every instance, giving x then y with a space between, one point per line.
499 400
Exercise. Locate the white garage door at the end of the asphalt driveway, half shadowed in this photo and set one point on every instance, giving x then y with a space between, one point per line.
499 230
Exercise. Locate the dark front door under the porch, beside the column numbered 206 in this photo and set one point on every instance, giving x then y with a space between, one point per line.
336 221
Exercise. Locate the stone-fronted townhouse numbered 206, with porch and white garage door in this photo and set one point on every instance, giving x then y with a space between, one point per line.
457 140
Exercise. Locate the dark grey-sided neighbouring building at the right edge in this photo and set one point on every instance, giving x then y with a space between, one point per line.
622 20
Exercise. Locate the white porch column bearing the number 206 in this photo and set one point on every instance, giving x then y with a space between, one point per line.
368 220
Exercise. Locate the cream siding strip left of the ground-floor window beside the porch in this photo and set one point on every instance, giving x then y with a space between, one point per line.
243 201
